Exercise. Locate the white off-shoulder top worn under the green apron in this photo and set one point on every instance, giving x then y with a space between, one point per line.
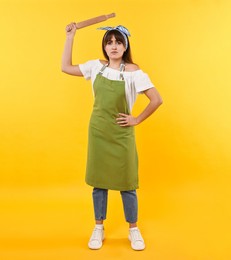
135 81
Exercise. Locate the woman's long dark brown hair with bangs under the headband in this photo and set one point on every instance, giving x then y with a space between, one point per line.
127 56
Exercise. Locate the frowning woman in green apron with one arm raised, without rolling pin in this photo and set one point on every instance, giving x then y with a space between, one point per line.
112 162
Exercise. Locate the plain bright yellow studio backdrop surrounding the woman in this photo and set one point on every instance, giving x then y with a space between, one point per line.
184 148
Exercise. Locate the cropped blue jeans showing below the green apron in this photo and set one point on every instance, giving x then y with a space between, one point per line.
129 203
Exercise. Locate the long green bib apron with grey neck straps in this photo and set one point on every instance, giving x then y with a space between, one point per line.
112 161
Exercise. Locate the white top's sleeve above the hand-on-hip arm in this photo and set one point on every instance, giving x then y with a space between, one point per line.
142 81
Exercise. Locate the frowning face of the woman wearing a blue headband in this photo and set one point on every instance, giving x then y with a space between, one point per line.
114 49
